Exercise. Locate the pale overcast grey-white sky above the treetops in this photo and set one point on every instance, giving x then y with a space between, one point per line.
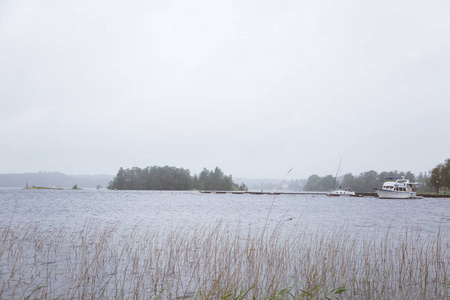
254 87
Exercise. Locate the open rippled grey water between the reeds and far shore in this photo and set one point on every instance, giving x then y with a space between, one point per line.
55 208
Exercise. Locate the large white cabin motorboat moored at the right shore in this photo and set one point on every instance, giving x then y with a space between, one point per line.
398 188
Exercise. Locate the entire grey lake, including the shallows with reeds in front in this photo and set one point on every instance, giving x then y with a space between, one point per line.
78 244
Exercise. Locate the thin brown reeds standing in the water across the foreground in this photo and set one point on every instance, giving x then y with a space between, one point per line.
220 262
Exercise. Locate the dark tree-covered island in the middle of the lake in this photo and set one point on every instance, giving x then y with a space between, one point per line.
172 178
